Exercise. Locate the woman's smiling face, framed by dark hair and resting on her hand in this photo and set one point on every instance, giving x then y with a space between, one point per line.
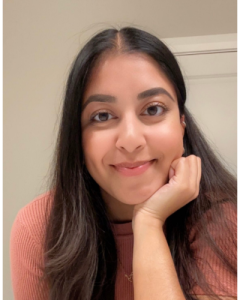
130 113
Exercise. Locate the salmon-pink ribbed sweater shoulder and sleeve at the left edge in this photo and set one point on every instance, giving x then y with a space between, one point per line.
26 249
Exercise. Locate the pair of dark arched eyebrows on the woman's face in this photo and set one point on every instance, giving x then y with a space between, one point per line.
141 96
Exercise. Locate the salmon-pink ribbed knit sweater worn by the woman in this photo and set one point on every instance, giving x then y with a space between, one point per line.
26 254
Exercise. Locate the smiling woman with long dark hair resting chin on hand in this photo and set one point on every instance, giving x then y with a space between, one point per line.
140 207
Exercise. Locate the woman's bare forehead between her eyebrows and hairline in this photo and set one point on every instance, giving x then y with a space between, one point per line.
126 73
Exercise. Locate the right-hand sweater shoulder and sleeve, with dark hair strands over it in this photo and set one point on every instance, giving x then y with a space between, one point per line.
215 253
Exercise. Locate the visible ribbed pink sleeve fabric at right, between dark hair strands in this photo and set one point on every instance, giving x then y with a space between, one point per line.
220 279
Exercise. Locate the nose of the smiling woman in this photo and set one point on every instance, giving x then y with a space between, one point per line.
130 136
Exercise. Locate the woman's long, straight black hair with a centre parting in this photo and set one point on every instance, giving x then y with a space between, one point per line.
80 249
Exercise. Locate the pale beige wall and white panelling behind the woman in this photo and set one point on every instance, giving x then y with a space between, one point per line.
40 42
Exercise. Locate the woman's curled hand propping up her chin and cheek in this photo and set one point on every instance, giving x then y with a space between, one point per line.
183 187
